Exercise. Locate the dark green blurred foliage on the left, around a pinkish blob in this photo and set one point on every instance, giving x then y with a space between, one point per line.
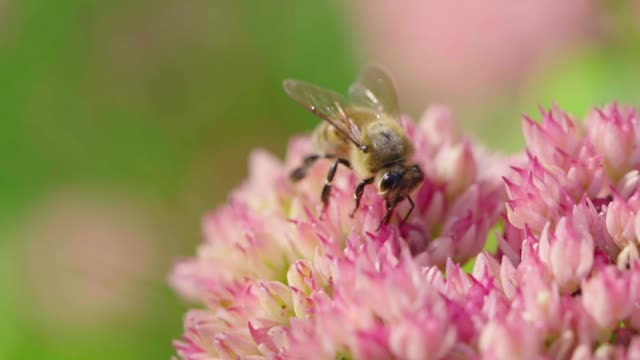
160 101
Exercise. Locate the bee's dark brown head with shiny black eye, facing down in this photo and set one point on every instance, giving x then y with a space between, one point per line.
399 181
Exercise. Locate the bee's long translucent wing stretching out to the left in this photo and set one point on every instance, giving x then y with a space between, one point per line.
326 104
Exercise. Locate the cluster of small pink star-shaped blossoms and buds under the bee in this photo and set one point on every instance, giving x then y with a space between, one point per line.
277 281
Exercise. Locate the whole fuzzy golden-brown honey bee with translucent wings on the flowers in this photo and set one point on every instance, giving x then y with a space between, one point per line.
362 133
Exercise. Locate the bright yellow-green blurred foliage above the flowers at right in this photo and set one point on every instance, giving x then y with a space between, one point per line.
583 79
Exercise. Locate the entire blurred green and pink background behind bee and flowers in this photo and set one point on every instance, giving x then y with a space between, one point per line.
123 122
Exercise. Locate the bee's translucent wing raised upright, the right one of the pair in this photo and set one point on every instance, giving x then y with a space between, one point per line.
374 90
